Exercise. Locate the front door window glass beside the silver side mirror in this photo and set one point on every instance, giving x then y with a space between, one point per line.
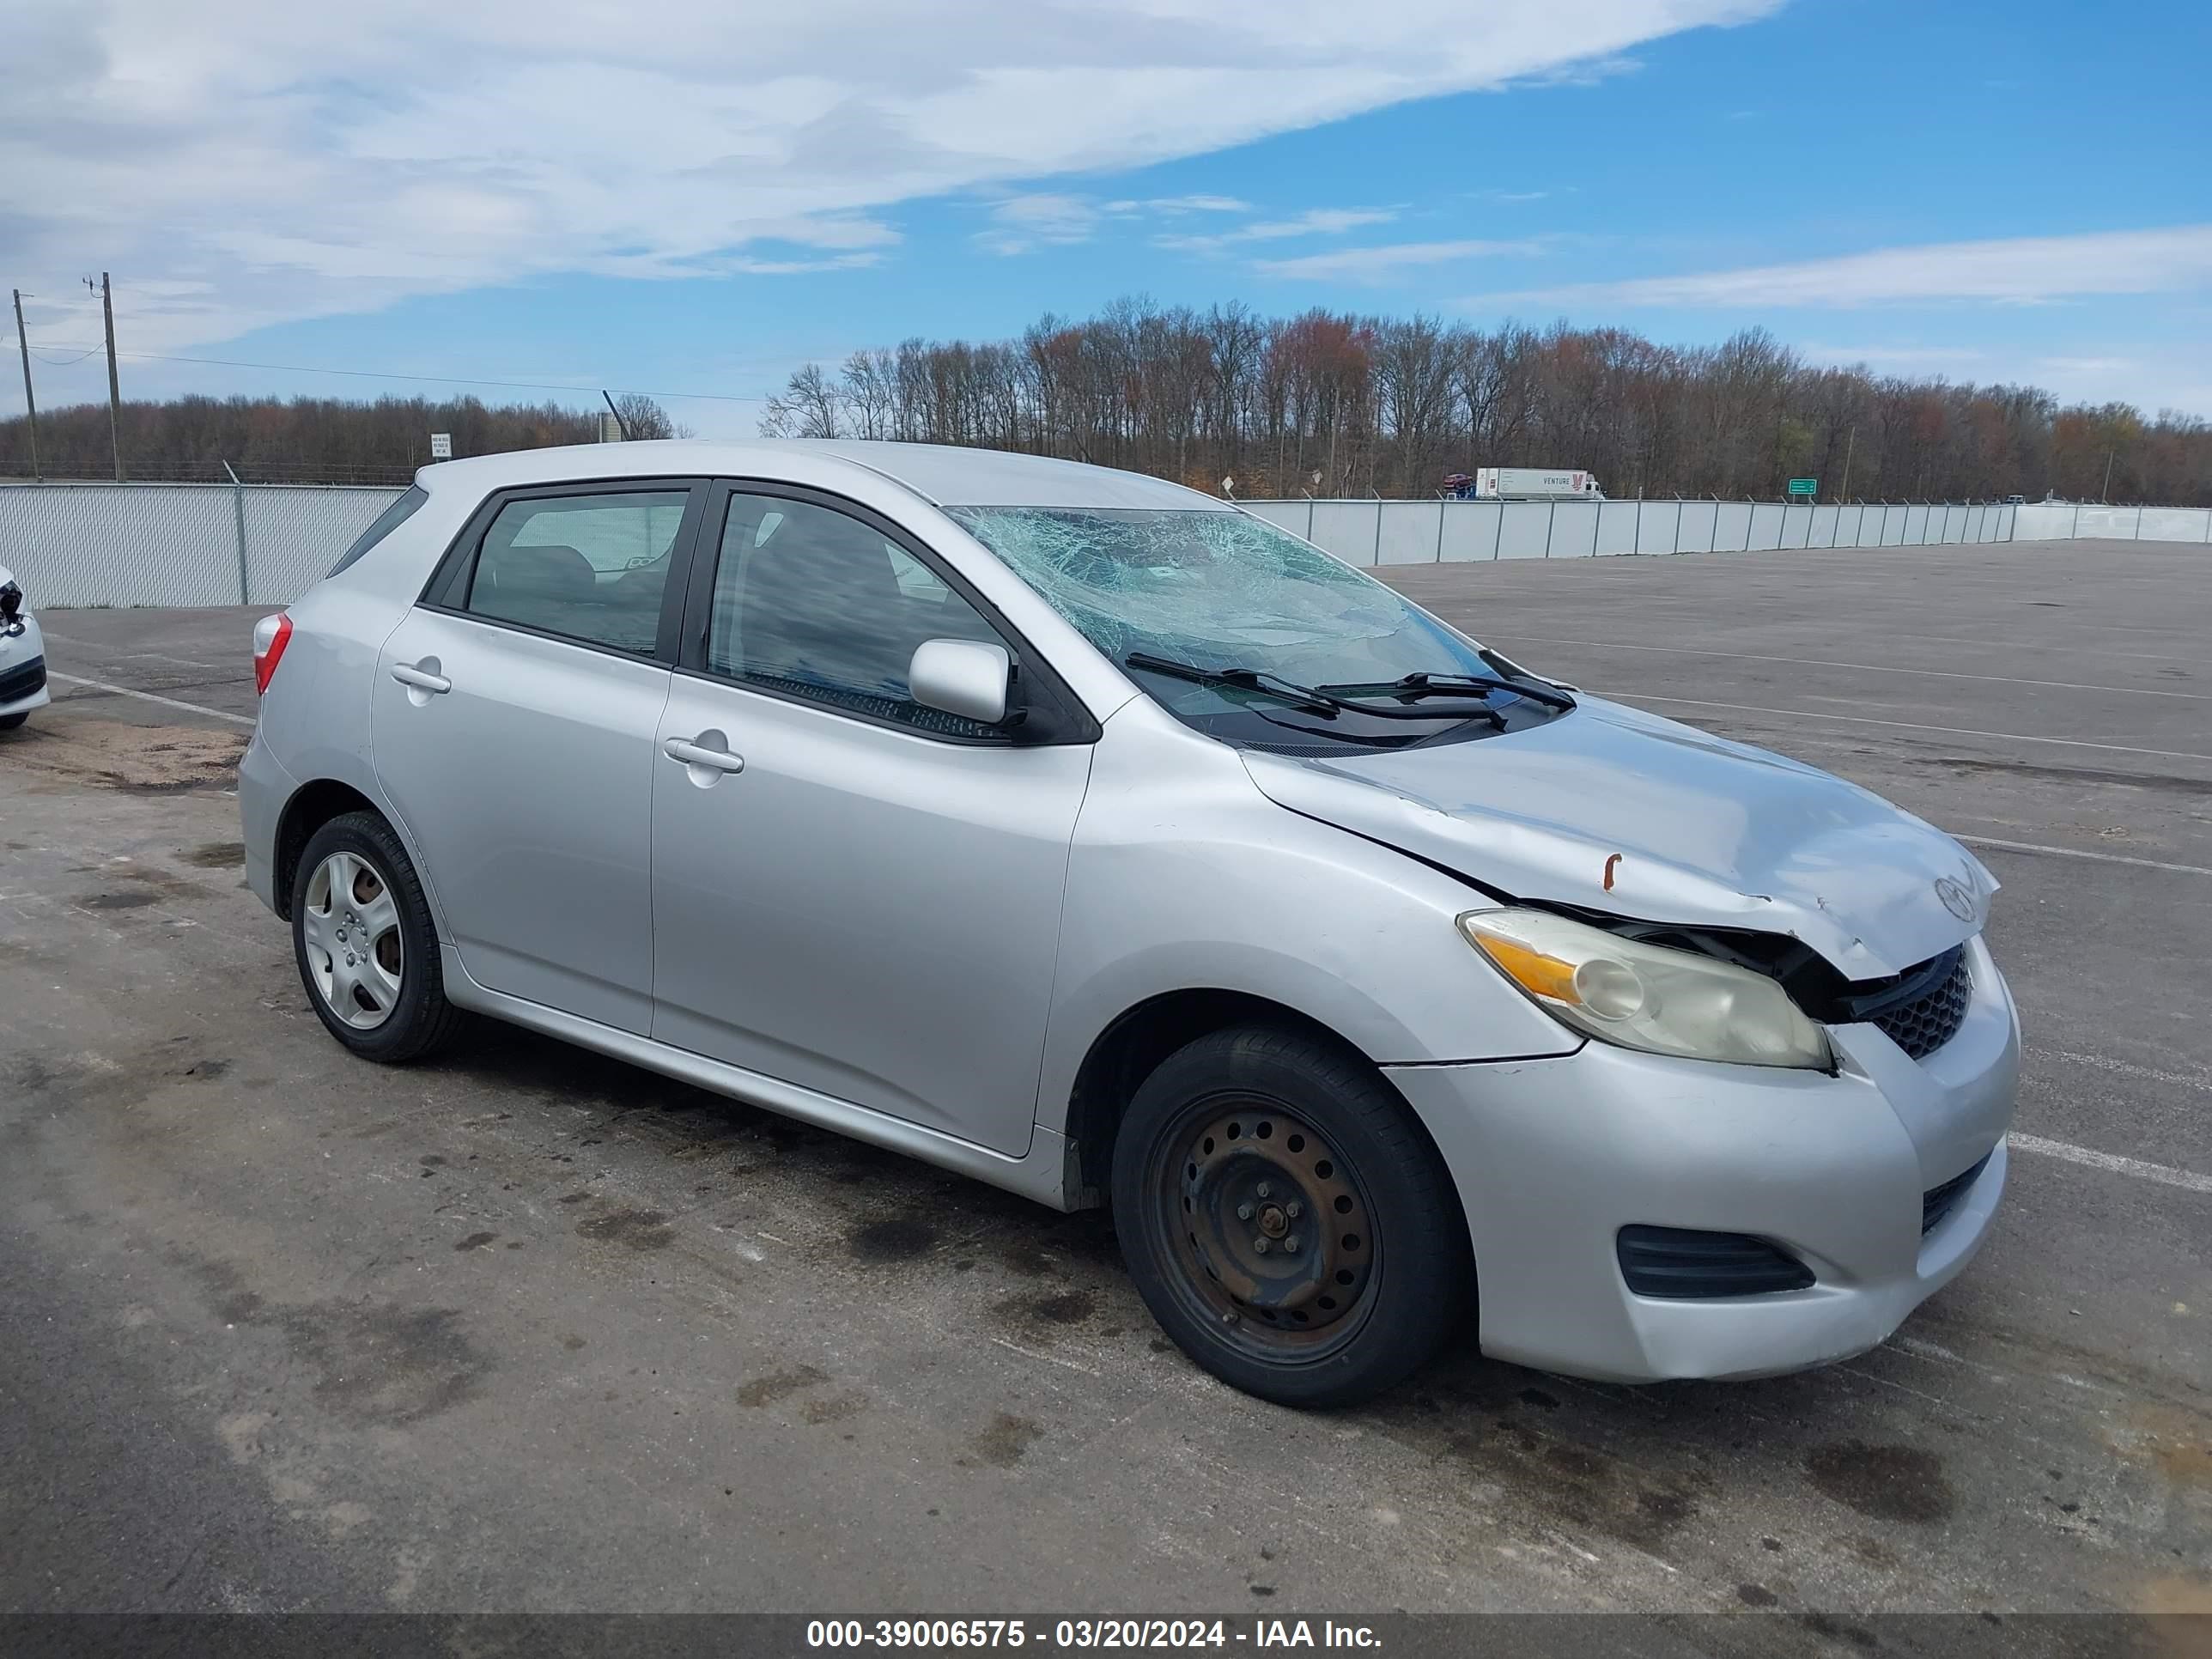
811 603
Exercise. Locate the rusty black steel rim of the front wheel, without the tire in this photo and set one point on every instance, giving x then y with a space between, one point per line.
1271 1227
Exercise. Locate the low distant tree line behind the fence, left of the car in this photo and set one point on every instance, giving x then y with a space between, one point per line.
322 441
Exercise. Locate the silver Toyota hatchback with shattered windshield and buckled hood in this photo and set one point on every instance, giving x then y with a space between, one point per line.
1107 844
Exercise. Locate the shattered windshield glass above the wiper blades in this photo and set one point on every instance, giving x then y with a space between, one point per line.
1218 592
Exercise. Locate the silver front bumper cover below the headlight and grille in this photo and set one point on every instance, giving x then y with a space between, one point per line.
1554 1158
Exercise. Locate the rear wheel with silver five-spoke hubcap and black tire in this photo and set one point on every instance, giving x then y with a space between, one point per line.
366 946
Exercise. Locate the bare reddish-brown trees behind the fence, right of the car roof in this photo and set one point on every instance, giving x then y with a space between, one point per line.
1350 406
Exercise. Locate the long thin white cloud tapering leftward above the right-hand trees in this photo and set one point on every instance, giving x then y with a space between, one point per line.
2016 271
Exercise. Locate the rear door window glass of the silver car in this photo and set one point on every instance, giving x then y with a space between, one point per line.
585 567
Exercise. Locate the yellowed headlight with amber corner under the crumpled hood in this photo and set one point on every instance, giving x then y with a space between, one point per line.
1647 997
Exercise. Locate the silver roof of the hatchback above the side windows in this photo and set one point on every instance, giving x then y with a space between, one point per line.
941 474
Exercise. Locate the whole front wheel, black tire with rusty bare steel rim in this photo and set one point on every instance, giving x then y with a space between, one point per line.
1286 1220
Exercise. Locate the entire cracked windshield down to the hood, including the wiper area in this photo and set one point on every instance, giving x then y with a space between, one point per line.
1229 592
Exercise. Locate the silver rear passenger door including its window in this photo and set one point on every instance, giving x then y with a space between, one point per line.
514 722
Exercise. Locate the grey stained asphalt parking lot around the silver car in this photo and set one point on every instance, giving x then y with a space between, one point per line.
532 1331
